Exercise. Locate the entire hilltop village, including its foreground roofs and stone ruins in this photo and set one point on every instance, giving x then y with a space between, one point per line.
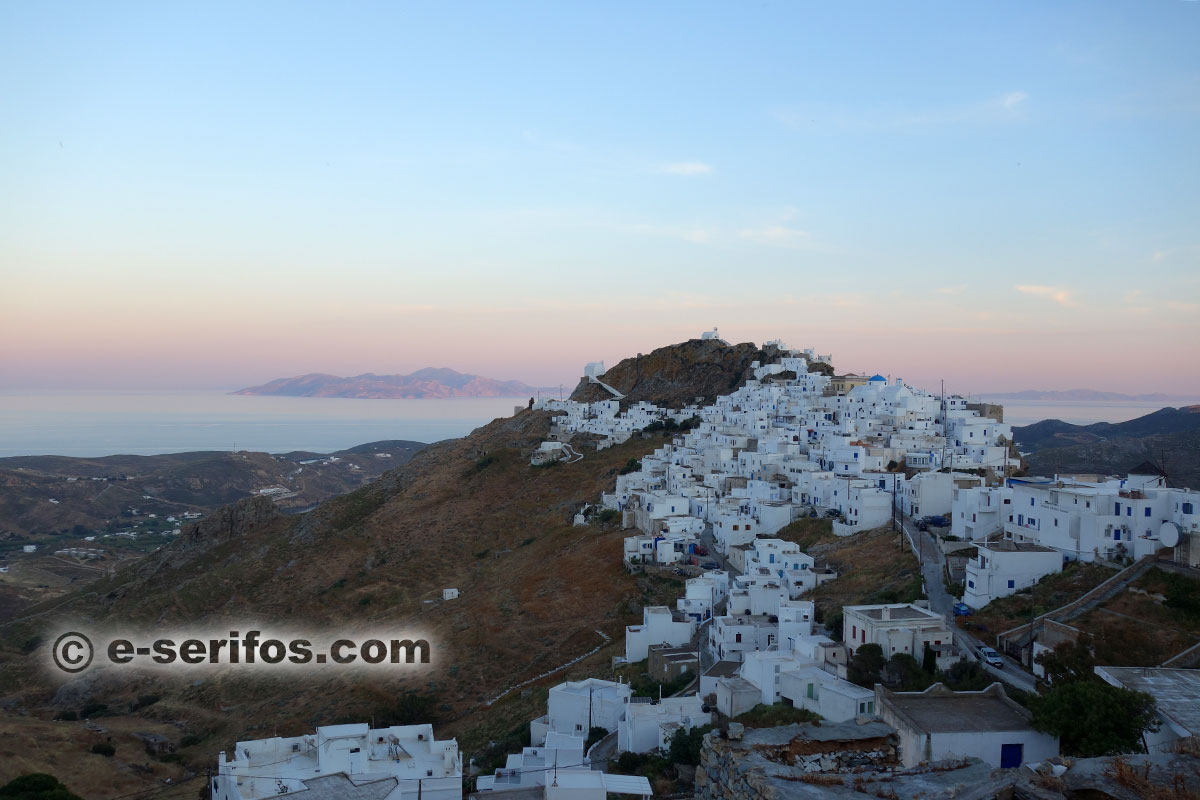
799 442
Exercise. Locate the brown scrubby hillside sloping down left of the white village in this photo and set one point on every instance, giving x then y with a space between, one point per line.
470 514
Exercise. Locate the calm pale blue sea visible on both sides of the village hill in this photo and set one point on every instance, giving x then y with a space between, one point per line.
89 424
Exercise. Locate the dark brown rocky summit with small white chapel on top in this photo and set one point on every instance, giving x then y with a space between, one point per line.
677 375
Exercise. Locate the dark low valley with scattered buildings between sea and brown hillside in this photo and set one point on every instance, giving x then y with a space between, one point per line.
130 506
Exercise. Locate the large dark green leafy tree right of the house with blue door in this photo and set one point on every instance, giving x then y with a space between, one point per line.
1094 719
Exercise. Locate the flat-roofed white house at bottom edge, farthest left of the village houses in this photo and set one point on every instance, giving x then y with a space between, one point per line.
338 759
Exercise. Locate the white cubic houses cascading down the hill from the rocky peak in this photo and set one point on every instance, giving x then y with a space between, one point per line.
790 443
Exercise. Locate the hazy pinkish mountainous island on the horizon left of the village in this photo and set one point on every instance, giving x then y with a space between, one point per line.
429 383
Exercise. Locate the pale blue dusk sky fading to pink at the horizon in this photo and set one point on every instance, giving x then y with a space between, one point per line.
1003 196
